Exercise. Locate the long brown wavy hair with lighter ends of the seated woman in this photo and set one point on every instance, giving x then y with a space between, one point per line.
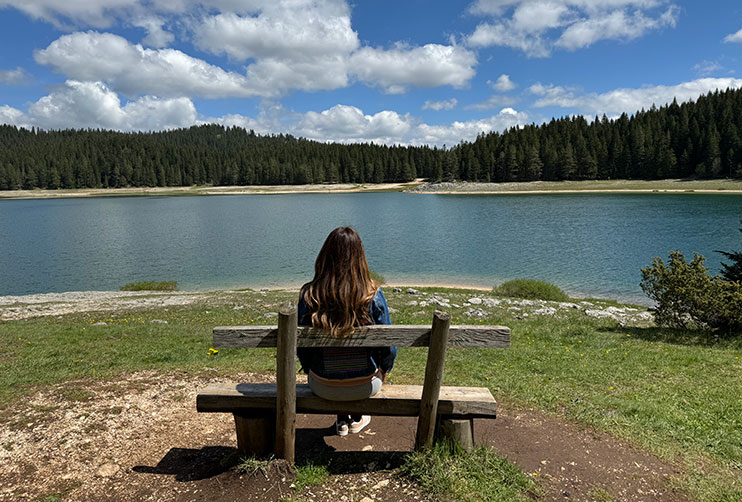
342 289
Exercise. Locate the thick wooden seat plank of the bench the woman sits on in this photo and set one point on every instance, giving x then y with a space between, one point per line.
391 400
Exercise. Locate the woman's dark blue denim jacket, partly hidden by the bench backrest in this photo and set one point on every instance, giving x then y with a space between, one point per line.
353 361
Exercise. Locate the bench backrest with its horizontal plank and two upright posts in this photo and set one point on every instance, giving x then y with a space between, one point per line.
287 336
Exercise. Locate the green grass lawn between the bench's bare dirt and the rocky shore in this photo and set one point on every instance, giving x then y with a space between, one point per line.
671 392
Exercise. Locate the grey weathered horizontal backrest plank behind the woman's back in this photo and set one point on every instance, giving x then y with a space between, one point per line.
367 336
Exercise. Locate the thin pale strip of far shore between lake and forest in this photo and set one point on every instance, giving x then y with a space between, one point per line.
418 186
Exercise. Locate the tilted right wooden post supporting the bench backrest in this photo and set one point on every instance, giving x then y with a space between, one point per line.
433 378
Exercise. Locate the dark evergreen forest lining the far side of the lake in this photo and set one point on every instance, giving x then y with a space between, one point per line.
698 139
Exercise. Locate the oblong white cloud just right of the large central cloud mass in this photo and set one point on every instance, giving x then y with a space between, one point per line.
428 66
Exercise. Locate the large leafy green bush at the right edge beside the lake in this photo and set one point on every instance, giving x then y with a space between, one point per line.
687 297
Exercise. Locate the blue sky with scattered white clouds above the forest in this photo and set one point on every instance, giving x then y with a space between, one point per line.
390 72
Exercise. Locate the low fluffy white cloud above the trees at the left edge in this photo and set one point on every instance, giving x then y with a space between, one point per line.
93 105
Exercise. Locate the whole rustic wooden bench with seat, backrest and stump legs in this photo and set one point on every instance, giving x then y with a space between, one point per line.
265 413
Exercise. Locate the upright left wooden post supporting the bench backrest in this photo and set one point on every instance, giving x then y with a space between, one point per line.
286 377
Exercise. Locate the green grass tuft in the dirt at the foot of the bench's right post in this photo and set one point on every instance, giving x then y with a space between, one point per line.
448 473
